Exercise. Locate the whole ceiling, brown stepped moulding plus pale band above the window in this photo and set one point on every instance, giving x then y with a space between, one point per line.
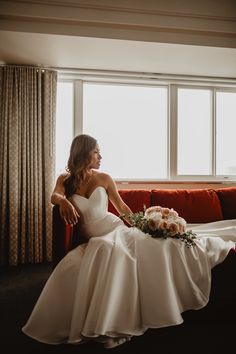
157 37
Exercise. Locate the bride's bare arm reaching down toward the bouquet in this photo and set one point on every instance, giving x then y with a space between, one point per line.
116 199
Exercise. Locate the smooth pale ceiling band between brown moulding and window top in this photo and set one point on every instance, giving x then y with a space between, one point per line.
61 51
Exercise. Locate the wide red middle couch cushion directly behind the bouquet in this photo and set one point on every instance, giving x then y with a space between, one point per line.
194 205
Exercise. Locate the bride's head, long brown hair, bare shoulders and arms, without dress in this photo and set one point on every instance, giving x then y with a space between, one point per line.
82 178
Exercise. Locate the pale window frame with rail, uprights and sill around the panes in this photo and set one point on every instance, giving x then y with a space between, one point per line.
172 83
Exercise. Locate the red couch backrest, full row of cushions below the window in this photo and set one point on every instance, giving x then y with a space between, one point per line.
194 205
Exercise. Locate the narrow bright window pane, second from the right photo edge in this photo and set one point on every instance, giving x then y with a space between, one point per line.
194 132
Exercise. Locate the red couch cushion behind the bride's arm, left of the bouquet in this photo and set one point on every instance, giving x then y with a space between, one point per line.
135 199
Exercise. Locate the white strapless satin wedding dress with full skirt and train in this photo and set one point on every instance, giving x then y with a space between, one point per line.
122 281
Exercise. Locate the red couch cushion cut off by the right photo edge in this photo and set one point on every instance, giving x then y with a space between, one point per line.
227 198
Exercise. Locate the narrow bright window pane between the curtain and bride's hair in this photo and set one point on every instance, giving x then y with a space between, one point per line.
64 124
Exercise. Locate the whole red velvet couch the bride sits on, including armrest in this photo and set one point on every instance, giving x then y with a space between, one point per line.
196 206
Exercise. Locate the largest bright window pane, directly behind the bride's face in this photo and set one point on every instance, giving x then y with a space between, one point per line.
130 124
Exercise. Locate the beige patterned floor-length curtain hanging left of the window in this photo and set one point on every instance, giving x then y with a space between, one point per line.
27 126
